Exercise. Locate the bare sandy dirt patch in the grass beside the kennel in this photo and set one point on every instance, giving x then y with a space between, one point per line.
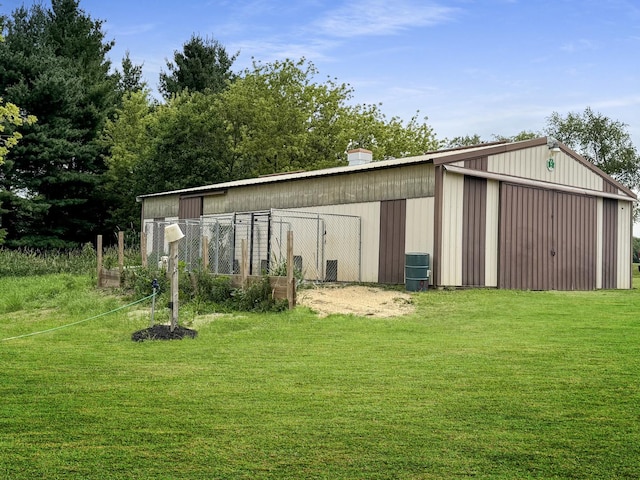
356 300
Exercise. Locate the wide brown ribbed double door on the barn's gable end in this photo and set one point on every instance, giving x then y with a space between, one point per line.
547 239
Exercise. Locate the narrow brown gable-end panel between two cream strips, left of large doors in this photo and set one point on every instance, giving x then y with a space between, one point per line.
474 231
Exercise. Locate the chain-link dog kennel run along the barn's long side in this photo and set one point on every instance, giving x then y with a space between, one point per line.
326 246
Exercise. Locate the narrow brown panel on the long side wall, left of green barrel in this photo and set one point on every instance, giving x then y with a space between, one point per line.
393 215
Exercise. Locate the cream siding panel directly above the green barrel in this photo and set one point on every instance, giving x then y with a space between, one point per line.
420 227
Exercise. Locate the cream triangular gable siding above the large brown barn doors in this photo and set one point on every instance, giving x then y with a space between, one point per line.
532 163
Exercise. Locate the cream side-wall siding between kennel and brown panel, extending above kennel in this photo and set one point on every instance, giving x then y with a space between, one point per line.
369 214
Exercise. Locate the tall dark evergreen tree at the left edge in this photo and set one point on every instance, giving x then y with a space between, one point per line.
53 63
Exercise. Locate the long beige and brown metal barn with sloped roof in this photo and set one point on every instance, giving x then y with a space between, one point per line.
524 215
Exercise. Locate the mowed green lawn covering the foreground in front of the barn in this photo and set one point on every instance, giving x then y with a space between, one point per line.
476 383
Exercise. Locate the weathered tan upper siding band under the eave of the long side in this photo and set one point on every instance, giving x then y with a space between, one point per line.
409 181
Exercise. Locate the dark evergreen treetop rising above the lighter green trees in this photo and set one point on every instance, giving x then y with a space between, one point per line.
203 66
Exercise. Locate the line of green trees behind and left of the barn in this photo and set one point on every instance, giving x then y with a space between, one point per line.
101 138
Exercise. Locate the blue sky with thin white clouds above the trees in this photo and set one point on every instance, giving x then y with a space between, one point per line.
486 66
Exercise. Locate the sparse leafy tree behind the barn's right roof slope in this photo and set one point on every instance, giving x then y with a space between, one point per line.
604 142
